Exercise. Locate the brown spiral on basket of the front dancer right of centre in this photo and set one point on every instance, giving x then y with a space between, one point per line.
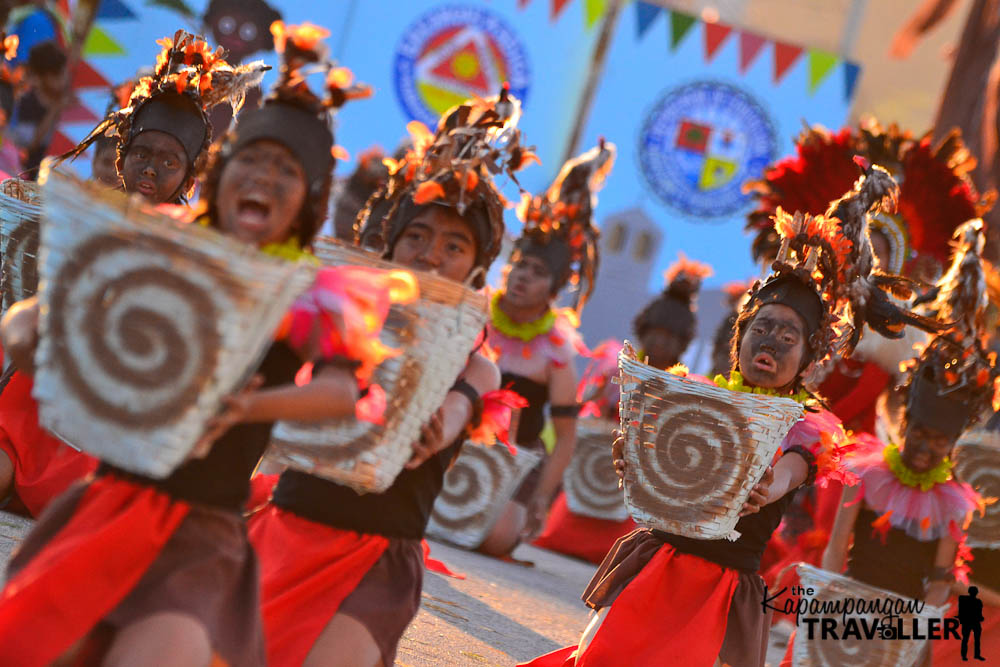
687 472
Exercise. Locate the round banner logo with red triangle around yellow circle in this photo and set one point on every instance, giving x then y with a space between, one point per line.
450 54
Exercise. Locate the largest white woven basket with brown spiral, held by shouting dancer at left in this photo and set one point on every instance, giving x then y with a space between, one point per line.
146 324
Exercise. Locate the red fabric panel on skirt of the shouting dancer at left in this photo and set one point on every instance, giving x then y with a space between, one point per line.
86 570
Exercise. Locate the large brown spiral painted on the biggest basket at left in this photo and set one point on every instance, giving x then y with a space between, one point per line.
134 339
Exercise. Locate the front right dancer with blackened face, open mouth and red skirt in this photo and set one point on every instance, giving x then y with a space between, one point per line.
662 598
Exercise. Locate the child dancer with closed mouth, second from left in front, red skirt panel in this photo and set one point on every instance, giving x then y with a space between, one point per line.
342 572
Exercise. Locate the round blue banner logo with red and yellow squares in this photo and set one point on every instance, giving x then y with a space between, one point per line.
700 143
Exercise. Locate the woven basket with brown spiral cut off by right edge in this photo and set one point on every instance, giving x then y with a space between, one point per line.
977 462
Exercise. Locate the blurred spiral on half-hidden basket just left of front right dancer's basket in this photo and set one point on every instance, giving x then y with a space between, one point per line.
591 482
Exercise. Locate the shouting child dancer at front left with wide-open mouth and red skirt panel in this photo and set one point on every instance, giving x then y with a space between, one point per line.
139 571
